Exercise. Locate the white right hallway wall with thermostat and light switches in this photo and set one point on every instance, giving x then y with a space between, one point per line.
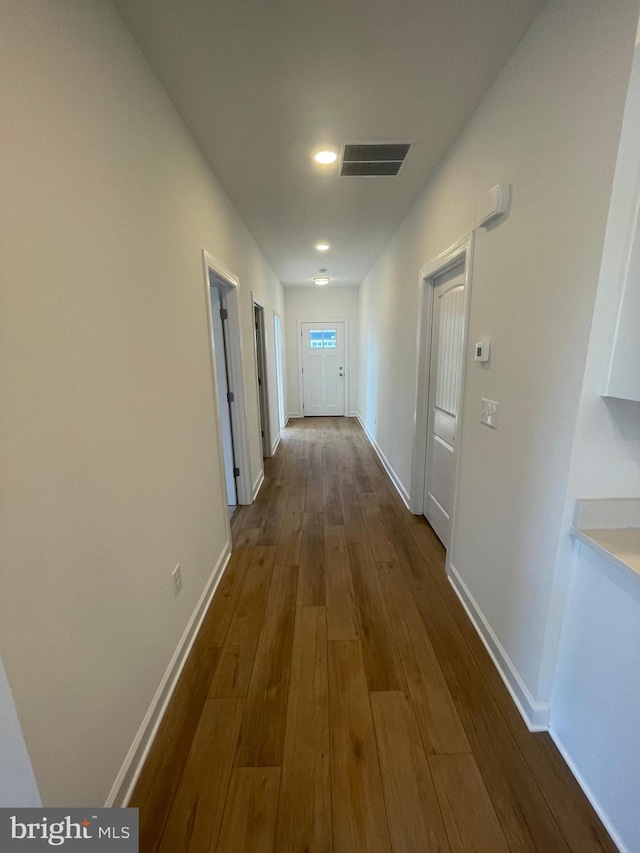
550 127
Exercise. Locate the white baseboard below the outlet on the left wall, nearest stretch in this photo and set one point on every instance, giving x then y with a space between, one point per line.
130 771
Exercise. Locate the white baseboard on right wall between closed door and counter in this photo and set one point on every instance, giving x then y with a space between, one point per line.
535 714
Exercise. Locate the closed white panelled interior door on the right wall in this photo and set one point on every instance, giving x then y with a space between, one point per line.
445 376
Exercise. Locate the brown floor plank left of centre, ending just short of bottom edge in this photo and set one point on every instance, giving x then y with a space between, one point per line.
262 734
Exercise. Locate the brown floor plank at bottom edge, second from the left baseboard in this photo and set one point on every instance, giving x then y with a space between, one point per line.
195 817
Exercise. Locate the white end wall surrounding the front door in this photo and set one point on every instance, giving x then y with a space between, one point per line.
320 303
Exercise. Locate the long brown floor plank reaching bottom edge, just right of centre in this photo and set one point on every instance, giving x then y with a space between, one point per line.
359 817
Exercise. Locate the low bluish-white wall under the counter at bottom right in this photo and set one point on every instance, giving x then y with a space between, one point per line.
594 714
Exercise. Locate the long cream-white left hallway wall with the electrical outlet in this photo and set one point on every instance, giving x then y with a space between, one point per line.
109 463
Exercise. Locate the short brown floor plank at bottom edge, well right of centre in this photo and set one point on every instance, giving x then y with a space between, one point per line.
471 822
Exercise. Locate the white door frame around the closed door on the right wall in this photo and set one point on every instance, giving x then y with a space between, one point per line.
460 252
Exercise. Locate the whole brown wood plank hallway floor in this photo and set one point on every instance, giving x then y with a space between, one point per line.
337 697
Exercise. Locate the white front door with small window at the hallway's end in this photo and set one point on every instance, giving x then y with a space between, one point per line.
323 368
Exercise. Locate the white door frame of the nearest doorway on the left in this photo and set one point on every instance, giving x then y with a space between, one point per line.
229 282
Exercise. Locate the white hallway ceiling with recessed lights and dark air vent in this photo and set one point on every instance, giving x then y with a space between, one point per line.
262 83
